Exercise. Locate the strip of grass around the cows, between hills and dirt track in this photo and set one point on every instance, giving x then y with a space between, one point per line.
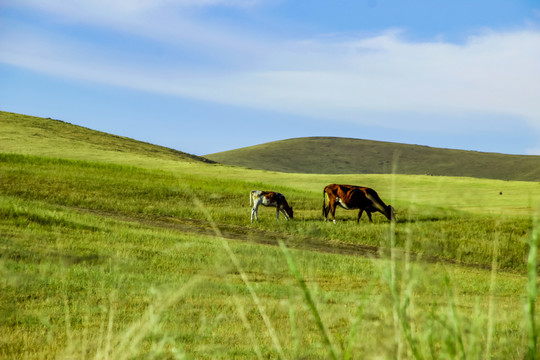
448 232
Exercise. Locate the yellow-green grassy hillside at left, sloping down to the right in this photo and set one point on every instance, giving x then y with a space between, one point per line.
23 134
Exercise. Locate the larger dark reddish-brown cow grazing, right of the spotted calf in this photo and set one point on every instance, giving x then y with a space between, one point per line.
352 197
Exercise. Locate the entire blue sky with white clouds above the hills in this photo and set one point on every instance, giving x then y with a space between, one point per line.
204 76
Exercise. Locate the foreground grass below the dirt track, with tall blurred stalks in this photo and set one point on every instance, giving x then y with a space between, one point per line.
81 285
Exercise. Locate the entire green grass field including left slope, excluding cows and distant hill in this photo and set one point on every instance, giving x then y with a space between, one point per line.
109 255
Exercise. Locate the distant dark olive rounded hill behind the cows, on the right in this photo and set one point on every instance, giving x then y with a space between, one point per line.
333 155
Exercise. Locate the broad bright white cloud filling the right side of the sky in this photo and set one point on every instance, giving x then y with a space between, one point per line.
492 73
